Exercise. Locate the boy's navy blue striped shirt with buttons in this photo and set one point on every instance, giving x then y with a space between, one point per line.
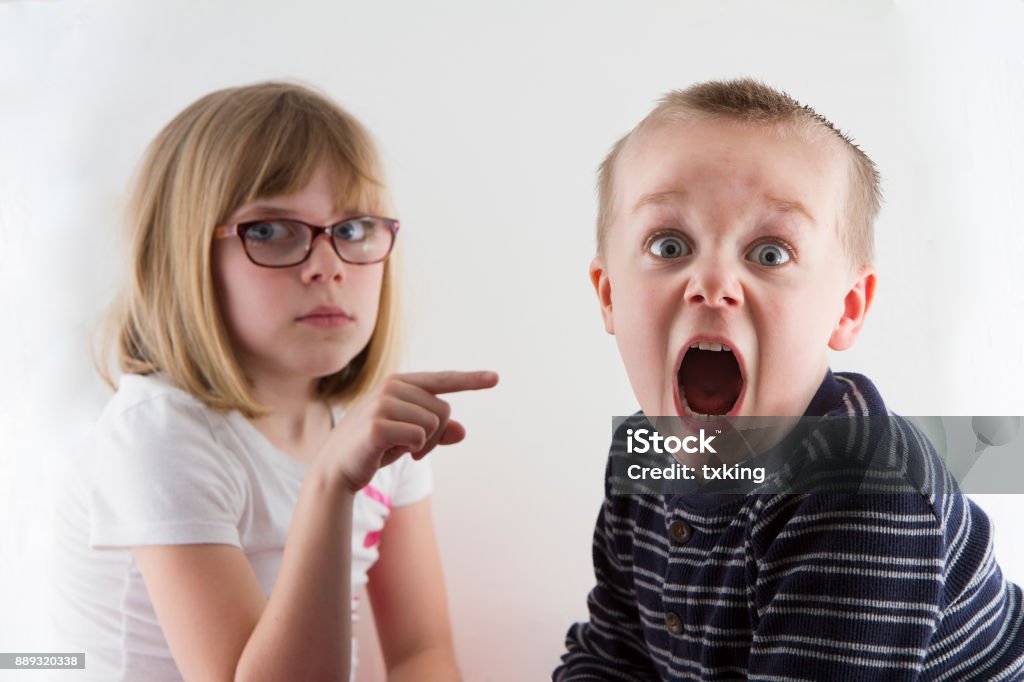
800 587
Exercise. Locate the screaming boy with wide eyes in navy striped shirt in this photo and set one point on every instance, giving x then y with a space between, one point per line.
735 247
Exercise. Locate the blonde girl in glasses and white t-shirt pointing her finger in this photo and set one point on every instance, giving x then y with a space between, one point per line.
233 508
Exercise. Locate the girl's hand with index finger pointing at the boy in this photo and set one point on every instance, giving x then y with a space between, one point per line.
402 415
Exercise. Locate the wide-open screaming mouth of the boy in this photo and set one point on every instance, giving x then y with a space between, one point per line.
709 379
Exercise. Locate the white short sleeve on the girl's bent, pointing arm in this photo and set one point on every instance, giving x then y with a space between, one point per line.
160 478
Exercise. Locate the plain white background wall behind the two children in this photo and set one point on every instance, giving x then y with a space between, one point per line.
492 120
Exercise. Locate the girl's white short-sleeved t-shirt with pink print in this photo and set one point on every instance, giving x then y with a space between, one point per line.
161 468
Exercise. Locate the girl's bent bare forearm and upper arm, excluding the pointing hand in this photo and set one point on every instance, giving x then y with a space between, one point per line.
221 627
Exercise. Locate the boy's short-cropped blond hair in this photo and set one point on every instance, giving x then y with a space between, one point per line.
748 101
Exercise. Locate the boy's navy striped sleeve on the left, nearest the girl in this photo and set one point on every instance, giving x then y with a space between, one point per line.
611 646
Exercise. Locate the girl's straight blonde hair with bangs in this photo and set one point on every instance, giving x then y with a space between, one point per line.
226 150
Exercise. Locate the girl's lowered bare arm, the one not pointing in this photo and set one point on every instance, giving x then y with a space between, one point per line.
407 592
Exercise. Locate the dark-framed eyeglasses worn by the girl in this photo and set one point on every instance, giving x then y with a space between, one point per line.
286 242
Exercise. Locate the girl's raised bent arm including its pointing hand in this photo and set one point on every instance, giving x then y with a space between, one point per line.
210 606
